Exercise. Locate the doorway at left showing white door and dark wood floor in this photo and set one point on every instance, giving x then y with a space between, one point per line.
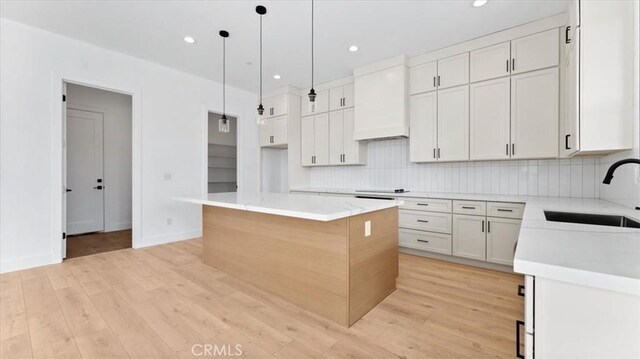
97 170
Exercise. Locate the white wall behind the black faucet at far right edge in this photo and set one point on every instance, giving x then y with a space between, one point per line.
625 186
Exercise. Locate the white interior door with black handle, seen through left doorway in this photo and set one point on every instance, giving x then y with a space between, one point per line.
85 201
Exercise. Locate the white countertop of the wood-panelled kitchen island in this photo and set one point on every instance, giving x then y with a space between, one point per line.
295 205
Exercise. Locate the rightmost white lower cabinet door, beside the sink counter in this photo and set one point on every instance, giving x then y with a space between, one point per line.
502 236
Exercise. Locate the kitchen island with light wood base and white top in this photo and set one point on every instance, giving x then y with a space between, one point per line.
336 257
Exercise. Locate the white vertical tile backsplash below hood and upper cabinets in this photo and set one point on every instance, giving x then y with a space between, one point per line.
389 167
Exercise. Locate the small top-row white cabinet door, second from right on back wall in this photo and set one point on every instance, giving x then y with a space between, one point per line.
490 62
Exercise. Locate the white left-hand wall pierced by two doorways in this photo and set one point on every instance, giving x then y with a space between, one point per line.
173 107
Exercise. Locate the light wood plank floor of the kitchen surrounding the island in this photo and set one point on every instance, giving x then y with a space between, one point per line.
158 302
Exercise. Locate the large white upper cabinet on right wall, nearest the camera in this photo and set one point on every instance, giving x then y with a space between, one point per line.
598 78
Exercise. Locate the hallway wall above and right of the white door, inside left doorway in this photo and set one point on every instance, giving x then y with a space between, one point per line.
117 111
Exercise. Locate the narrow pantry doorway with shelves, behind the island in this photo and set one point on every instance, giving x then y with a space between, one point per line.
222 154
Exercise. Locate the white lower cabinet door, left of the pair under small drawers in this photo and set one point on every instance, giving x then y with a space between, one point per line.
469 239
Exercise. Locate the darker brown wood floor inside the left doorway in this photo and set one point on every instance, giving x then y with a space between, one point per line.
100 242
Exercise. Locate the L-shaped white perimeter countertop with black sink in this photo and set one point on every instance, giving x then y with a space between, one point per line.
596 256
